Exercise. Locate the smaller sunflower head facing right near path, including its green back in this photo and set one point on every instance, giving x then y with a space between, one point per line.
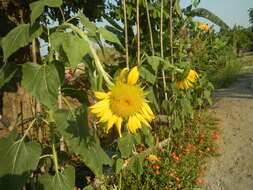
186 79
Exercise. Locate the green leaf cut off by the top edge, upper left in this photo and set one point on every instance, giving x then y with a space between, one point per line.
37 7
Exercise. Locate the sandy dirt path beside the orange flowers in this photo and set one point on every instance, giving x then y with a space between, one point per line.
233 170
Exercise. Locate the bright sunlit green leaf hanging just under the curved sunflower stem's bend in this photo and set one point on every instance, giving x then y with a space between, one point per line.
74 47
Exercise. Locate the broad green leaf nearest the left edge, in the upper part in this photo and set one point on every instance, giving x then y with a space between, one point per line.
19 37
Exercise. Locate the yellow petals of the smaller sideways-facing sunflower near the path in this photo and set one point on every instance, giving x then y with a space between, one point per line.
187 81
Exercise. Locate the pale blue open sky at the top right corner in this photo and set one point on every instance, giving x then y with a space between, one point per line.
232 12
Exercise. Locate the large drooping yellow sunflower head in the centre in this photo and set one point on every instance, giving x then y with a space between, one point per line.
125 101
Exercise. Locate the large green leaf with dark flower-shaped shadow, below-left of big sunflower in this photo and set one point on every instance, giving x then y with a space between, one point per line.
73 125
